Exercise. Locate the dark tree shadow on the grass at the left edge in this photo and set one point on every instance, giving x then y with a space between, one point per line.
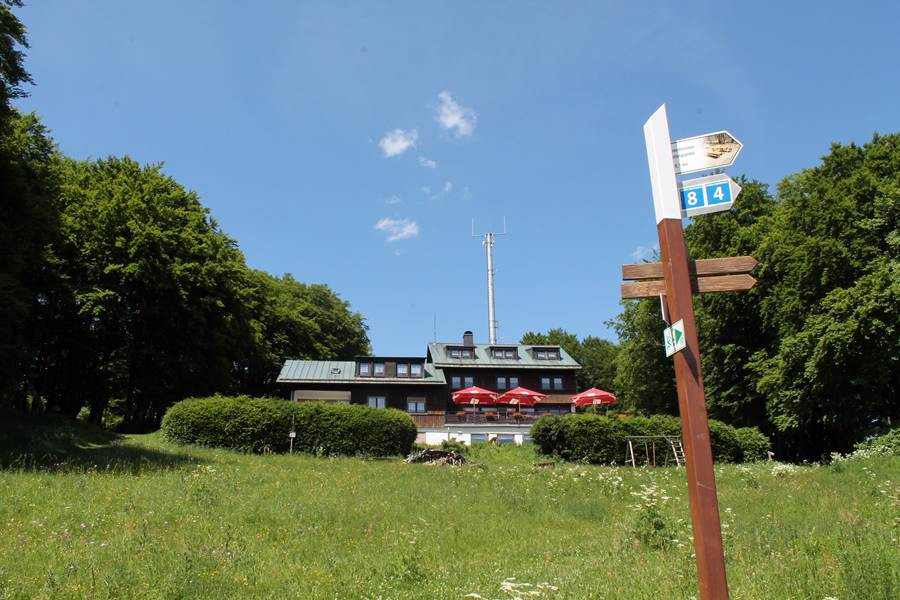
53 443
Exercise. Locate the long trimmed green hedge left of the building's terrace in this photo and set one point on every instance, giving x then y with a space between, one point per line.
262 424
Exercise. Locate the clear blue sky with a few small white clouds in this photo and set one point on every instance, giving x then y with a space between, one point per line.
354 143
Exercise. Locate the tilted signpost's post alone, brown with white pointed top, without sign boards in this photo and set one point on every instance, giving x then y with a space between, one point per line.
689 379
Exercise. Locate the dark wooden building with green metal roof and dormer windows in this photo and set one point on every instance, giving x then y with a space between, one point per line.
422 386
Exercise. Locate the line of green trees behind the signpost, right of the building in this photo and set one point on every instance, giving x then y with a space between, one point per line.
810 355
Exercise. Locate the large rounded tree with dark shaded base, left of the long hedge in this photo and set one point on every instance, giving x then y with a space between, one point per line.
149 305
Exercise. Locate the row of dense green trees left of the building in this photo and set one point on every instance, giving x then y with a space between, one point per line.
121 294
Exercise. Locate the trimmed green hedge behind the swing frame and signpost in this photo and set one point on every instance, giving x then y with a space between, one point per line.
602 440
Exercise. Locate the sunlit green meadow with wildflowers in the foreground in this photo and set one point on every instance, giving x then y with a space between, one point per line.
99 516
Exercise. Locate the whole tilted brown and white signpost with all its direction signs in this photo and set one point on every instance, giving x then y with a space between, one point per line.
679 278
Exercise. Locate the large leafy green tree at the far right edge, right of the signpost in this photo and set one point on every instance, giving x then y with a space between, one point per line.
832 252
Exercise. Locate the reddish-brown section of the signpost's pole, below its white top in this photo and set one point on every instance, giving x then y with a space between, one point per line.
694 425
